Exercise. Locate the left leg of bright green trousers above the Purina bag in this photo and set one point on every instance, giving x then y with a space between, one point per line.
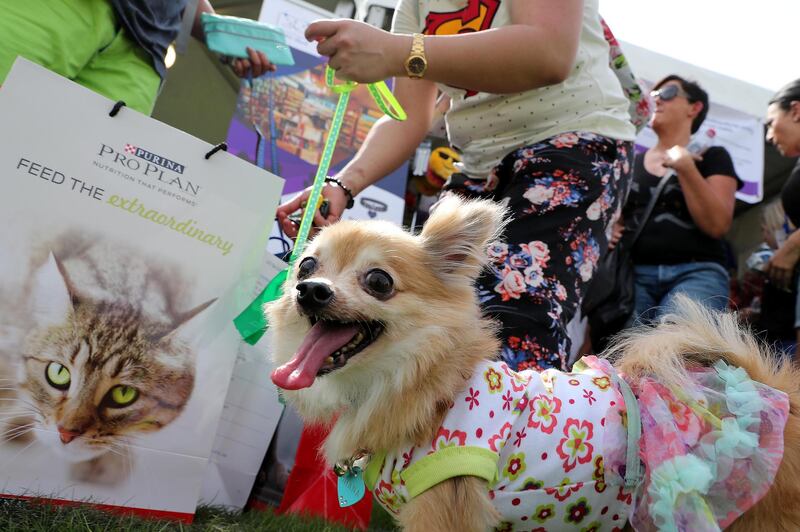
61 36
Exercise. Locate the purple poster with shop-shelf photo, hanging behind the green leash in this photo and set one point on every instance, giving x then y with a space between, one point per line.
293 109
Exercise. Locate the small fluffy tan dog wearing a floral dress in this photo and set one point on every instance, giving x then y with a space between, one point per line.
380 336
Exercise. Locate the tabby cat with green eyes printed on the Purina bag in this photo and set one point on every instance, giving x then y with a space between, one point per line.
98 360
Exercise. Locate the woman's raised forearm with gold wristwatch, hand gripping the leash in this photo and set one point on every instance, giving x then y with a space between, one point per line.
537 49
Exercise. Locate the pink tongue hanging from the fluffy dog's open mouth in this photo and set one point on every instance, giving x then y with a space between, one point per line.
320 342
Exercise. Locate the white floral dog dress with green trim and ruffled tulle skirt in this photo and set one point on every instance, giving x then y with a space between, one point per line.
553 446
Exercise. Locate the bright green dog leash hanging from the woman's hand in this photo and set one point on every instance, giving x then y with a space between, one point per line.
252 323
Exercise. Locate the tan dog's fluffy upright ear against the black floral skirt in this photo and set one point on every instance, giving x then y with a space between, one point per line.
456 235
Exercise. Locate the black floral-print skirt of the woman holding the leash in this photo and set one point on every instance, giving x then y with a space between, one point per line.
563 194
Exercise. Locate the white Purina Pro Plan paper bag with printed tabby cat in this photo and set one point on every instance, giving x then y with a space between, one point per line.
126 256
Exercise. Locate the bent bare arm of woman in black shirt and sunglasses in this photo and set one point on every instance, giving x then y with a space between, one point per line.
710 200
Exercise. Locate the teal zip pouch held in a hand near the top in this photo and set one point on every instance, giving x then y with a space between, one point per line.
231 36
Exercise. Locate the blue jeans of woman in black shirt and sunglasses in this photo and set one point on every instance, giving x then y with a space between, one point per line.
657 285
